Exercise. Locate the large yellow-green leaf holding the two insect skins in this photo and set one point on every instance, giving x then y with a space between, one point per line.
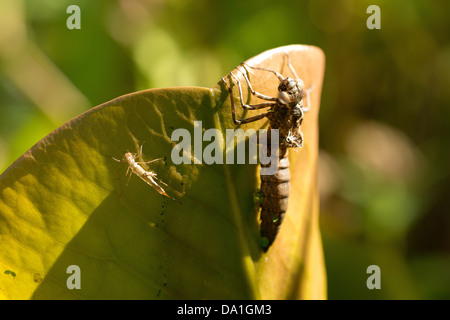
67 202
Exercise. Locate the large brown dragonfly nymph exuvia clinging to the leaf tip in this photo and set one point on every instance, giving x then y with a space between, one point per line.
285 113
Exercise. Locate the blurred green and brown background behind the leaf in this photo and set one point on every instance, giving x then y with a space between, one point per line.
384 118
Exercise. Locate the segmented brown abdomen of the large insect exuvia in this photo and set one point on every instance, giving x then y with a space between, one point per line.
275 193
